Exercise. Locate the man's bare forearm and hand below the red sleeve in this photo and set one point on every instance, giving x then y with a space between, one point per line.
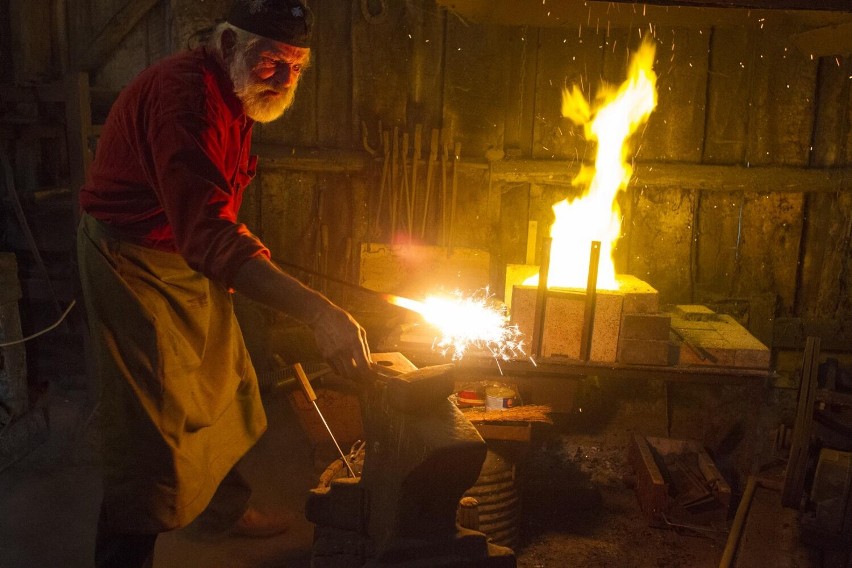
340 339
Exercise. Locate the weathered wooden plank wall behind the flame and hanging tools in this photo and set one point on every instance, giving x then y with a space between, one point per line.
741 197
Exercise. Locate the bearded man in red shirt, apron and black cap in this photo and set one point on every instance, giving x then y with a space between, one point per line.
160 251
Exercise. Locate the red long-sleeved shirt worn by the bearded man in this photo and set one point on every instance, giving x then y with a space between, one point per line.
172 163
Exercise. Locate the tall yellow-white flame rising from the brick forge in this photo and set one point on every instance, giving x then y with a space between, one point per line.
595 215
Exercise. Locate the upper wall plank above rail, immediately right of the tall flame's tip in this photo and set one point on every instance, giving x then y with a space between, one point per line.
675 129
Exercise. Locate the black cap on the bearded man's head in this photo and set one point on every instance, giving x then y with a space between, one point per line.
287 21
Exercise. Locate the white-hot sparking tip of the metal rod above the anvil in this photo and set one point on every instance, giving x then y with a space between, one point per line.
467 322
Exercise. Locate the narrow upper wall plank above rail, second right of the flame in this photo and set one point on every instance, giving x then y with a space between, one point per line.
727 101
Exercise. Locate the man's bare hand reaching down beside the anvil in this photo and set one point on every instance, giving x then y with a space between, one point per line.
343 343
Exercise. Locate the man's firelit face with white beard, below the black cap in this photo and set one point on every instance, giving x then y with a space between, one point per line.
265 77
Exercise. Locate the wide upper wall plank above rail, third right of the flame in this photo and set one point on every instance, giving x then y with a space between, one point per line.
783 85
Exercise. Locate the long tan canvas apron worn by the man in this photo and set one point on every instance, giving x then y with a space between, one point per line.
179 402
